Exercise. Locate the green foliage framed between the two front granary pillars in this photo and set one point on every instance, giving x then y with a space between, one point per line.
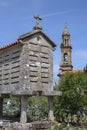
37 108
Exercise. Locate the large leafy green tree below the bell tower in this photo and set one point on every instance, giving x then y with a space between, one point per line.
73 100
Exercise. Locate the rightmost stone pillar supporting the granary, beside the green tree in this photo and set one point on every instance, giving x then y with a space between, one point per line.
50 103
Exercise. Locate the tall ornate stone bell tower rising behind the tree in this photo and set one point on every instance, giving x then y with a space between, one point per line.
66 52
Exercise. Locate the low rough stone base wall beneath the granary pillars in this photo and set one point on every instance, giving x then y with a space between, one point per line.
38 125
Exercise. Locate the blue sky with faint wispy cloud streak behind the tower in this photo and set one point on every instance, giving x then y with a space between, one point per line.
16 18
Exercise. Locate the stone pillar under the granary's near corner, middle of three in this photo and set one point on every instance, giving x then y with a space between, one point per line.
23 118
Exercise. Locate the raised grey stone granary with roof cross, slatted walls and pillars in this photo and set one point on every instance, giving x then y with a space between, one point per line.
26 69
